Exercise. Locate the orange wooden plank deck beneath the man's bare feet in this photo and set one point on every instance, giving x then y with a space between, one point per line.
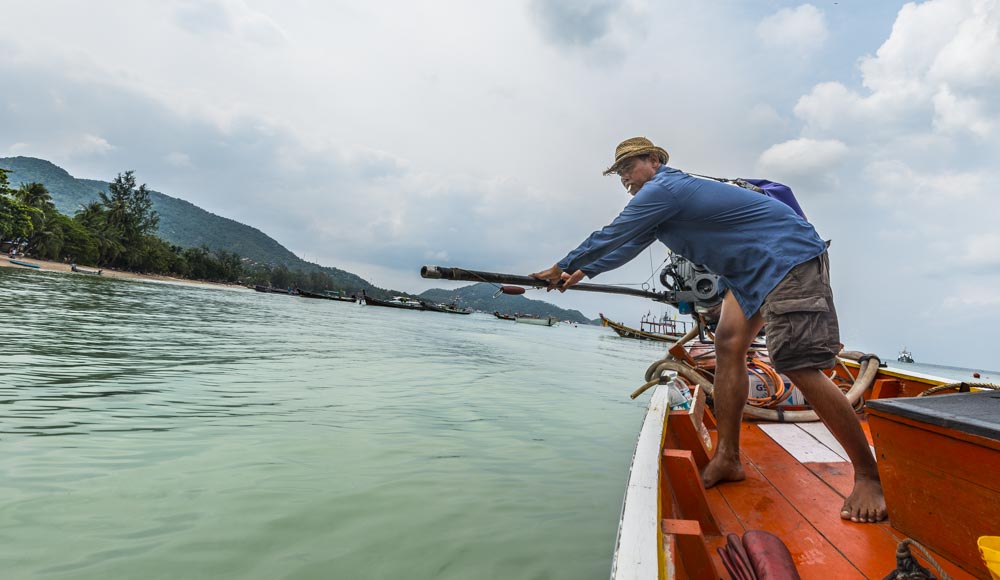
800 502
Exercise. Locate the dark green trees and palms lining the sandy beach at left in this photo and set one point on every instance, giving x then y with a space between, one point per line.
118 230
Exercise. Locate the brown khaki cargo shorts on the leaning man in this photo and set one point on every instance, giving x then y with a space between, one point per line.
800 320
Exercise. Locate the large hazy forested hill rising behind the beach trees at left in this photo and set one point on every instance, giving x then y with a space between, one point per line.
181 223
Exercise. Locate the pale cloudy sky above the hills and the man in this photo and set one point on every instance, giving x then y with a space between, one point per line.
377 137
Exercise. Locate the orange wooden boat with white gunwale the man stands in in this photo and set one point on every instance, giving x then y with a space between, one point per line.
798 477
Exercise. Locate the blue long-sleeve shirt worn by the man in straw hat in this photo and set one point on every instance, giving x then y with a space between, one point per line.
749 239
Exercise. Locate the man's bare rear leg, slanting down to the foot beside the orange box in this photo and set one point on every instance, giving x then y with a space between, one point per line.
866 503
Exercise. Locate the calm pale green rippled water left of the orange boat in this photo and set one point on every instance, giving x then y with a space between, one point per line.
163 431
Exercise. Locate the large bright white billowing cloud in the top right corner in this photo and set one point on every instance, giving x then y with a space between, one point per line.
939 62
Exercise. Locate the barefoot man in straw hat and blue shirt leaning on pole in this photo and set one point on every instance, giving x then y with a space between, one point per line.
775 270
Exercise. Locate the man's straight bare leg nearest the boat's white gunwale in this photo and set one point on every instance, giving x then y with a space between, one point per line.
732 340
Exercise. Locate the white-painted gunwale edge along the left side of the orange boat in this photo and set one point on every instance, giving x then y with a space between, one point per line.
636 549
